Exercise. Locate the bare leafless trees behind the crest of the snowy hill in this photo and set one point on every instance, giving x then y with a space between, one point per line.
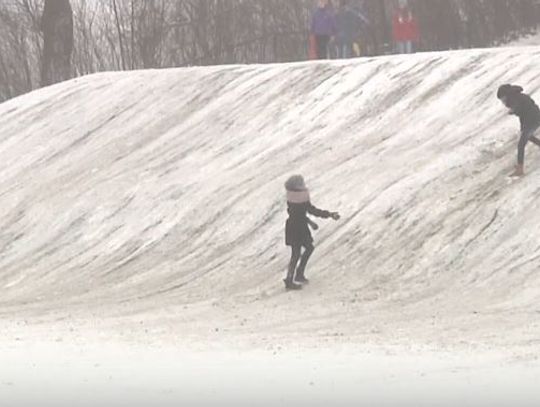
47 41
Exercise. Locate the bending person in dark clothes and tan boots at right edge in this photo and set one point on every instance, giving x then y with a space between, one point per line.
528 112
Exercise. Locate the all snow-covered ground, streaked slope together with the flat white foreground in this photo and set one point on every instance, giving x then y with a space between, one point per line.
142 217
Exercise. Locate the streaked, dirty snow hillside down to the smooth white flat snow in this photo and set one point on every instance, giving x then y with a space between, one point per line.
123 193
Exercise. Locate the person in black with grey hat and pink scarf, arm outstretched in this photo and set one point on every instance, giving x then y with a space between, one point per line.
297 233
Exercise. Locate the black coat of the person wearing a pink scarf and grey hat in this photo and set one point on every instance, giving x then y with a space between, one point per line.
297 231
